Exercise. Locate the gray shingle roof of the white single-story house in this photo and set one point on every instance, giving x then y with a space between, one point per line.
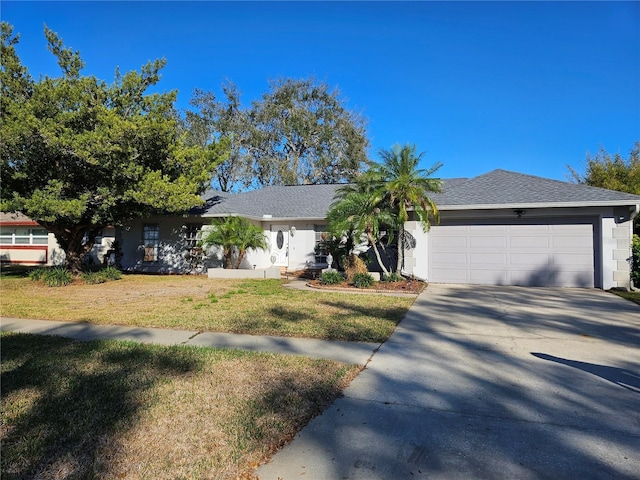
496 189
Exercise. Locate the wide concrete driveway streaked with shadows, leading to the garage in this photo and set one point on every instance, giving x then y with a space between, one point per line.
487 383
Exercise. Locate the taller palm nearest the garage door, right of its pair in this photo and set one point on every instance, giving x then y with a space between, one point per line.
407 187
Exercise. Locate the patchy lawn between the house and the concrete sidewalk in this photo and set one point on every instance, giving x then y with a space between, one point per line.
260 307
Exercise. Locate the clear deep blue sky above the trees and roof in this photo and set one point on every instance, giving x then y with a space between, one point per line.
523 86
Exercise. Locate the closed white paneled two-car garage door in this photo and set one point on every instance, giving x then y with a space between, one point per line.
559 253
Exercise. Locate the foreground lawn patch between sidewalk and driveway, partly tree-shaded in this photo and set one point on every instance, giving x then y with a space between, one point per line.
122 410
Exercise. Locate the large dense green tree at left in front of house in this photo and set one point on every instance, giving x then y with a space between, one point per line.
78 154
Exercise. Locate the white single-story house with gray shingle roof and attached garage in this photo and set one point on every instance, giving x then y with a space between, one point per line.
500 228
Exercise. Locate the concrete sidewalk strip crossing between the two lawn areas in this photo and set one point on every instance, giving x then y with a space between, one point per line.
357 353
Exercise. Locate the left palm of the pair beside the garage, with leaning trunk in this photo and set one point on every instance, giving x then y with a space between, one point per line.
357 211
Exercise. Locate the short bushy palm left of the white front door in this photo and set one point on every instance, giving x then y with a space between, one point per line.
235 234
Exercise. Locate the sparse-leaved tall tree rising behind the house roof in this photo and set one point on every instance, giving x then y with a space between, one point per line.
299 132
